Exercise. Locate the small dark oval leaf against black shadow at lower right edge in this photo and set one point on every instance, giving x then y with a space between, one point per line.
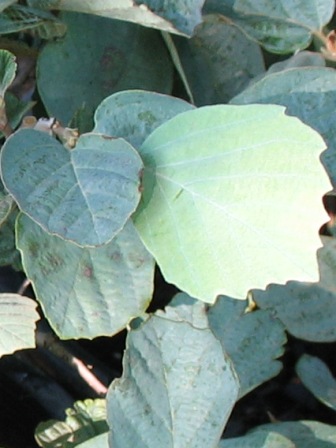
316 376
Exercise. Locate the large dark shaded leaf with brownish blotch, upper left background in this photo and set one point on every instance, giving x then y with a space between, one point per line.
81 70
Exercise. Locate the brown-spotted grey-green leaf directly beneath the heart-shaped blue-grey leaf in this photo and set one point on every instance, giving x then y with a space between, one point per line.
89 292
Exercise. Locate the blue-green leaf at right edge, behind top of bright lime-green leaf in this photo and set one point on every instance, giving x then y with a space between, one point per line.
309 94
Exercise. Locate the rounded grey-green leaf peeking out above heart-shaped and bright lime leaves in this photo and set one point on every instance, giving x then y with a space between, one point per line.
134 114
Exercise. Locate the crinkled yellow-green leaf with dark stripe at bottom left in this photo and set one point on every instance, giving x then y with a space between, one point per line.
82 423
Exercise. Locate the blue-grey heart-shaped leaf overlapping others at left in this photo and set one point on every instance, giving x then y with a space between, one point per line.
85 195
